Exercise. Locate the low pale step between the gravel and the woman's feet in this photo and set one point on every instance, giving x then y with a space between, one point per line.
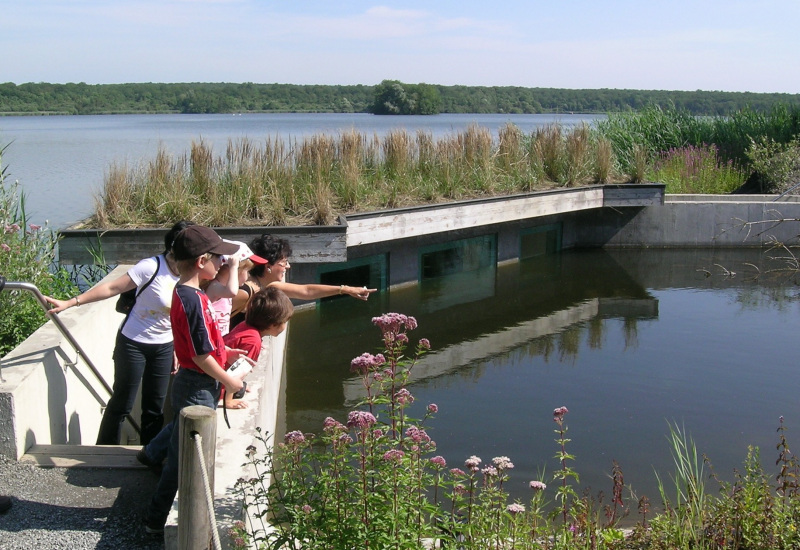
83 456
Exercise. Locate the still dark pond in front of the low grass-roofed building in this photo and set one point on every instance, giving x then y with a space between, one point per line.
628 340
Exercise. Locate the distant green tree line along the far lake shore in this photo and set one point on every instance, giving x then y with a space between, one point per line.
388 97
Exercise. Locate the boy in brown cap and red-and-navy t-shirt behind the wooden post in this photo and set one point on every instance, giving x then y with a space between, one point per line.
199 348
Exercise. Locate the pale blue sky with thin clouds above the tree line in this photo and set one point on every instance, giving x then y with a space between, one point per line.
712 45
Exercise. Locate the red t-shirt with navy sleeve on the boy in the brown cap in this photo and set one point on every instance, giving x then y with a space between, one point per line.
194 328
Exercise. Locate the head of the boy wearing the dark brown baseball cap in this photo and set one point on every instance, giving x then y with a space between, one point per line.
197 247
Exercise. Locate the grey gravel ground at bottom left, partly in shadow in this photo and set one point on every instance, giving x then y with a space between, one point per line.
58 508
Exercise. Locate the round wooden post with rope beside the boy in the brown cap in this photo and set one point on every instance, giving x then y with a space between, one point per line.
194 525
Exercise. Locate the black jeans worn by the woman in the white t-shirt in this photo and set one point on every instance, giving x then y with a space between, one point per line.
134 363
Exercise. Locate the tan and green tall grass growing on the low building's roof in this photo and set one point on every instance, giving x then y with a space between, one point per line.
315 179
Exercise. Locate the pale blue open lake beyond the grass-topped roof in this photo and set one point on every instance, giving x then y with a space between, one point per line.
60 161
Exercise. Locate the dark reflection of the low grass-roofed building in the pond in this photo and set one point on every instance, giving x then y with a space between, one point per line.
470 318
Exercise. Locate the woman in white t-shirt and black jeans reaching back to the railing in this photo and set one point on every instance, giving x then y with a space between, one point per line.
143 353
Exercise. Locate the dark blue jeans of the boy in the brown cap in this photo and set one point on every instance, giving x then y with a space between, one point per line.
188 388
